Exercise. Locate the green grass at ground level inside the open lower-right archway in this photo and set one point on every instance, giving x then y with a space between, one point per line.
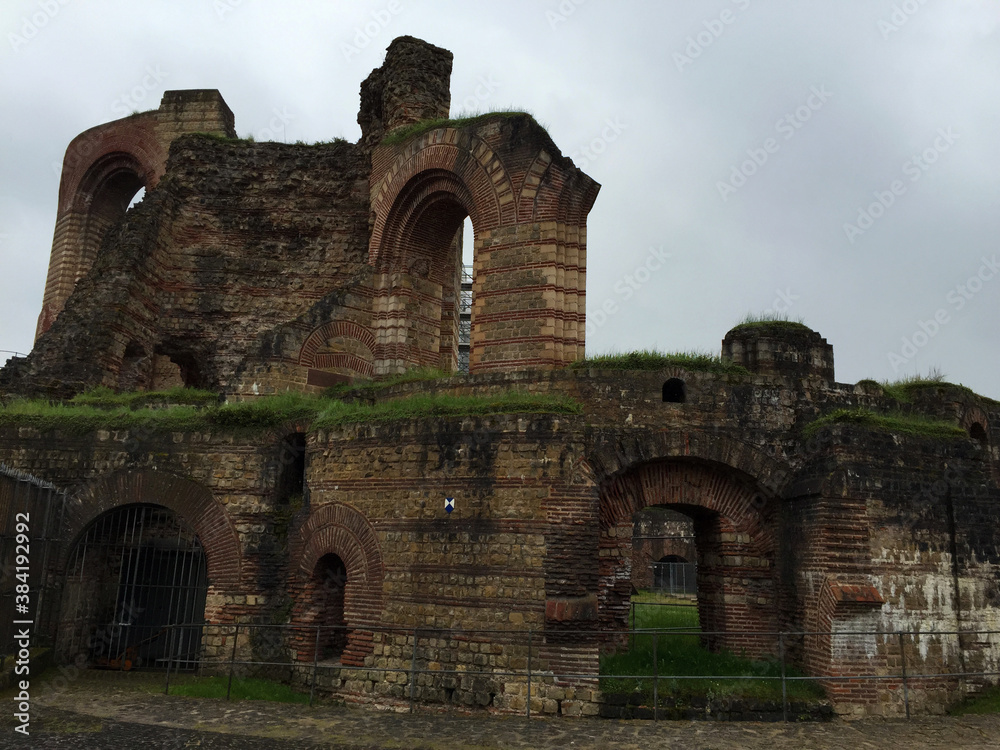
679 653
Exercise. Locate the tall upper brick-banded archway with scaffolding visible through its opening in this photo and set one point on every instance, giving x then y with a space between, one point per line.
528 210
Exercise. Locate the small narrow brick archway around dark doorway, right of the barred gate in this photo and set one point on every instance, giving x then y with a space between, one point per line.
340 530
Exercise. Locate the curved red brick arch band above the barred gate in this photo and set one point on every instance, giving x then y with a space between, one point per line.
193 503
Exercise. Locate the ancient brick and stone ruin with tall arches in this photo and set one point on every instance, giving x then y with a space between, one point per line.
255 268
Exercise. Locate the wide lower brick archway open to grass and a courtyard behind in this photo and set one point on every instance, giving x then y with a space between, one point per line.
734 522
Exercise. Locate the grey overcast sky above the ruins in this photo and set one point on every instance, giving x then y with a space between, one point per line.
835 160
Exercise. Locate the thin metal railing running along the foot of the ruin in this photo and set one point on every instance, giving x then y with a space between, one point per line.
272 644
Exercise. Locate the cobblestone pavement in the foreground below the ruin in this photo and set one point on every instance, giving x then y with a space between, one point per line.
97 715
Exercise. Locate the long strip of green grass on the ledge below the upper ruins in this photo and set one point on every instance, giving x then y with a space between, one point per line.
271 412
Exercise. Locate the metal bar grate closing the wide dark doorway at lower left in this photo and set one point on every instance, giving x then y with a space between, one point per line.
137 572
